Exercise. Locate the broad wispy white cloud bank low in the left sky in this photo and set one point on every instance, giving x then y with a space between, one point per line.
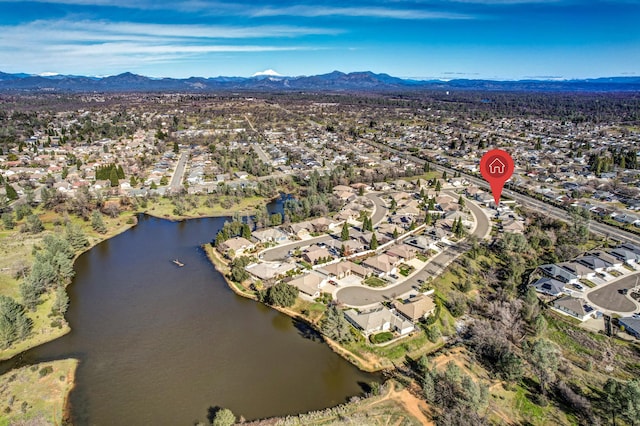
99 46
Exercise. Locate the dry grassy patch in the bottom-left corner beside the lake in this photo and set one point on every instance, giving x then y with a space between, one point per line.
36 394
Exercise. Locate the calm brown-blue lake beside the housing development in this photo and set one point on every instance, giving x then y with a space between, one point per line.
160 344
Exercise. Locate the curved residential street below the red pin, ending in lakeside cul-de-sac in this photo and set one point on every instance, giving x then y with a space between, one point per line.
363 296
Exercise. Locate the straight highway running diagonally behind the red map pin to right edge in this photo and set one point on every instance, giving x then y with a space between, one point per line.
530 202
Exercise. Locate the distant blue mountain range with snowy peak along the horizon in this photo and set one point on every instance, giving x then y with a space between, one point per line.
334 81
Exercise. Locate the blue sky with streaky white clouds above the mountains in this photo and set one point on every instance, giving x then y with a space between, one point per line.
495 39
